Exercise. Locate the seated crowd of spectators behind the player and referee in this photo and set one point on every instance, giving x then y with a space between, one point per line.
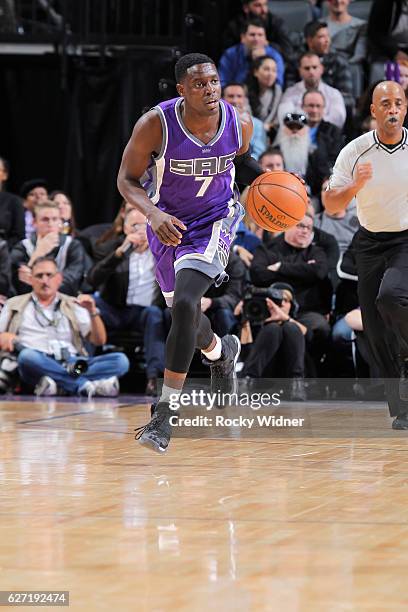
71 298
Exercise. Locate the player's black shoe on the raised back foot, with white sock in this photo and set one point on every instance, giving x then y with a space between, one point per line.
223 373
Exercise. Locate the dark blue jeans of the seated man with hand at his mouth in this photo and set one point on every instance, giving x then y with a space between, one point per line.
147 319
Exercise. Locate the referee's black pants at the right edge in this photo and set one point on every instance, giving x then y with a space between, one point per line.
382 267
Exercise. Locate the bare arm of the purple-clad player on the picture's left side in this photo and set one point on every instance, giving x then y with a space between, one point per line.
146 140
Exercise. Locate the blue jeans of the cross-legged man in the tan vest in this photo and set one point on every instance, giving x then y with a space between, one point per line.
33 364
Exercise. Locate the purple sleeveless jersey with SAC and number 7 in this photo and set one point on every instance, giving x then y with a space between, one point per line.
189 179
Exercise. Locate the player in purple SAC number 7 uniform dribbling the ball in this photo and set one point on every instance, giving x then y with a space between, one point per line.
179 169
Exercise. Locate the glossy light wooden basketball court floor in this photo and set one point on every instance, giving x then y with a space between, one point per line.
314 523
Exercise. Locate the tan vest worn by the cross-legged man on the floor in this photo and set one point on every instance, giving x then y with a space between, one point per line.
18 304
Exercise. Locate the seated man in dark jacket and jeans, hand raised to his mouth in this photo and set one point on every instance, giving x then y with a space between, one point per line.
125 276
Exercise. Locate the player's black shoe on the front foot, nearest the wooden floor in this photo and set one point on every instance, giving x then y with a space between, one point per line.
156 434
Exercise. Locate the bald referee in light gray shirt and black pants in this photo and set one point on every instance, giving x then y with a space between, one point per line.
374 169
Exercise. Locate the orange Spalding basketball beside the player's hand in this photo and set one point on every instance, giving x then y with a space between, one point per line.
277 200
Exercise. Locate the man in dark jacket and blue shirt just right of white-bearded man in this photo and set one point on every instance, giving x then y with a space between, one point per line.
323 135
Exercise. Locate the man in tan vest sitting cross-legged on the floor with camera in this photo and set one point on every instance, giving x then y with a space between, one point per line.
49 329
